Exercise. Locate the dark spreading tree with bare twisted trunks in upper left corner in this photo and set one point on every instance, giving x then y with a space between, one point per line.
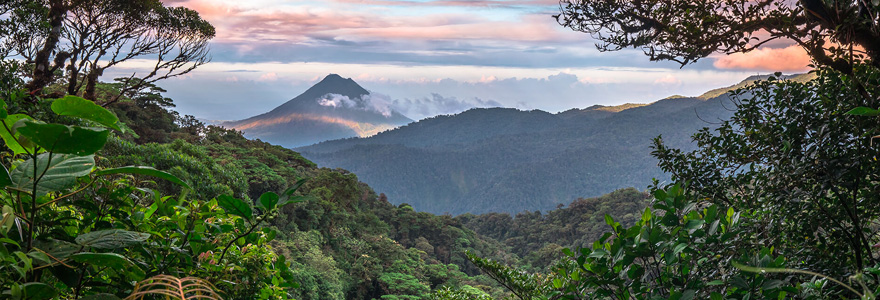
85 38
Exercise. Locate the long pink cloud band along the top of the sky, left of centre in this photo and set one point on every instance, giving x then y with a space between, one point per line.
302 23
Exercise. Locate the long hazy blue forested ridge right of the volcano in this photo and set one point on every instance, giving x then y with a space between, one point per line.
508 160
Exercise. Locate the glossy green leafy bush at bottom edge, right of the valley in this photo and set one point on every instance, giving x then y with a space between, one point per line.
680 249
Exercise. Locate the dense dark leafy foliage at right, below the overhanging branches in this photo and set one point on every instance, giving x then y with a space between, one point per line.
790 152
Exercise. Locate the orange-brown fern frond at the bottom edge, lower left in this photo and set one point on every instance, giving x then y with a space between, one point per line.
173 288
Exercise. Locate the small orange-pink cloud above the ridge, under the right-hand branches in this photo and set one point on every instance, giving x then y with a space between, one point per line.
788 59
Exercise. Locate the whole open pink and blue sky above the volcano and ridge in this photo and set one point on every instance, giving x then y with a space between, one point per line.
430 57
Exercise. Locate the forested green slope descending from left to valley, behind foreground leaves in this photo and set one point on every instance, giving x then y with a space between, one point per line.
344 241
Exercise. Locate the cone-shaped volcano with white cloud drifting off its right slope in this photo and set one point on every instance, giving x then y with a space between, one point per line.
334 108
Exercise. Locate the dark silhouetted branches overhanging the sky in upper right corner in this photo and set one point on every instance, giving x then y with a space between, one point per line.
836 33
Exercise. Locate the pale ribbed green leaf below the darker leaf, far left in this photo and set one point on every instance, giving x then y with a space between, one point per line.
58 173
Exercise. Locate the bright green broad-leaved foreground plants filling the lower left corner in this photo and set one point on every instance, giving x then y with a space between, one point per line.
70 230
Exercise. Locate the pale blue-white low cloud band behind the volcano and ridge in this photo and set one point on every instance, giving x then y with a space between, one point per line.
233 91
